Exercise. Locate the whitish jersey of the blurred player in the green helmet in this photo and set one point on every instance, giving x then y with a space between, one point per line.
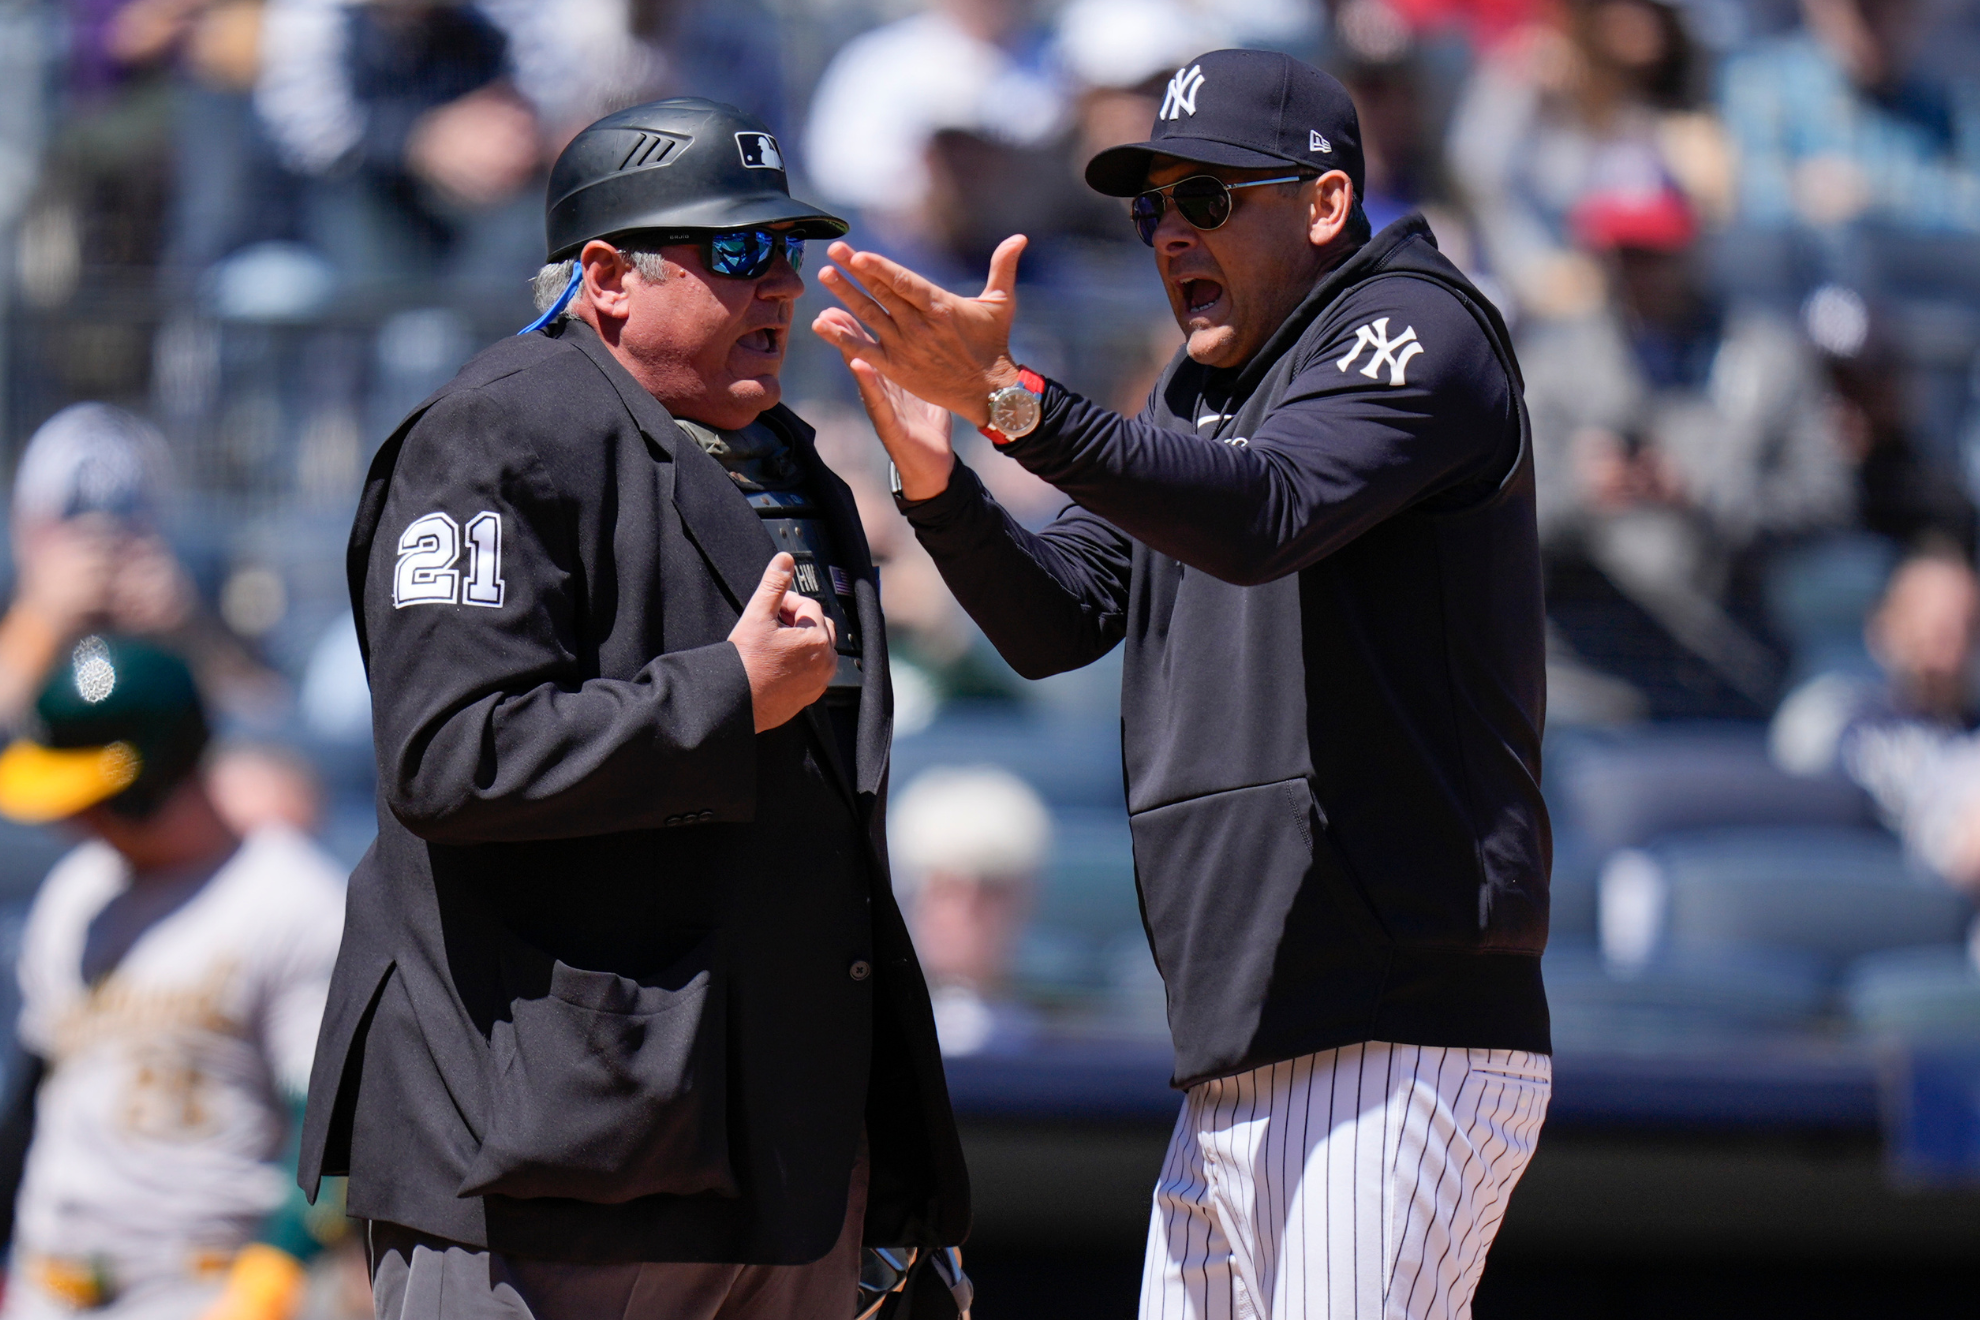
171 1078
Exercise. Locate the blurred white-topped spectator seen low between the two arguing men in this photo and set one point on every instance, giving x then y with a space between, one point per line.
969 846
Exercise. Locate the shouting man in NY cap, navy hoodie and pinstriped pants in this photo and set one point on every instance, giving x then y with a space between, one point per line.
1318 547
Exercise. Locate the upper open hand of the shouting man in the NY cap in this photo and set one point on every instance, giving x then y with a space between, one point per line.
940 347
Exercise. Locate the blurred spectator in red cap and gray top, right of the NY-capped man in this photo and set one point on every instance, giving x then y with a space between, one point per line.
1678 444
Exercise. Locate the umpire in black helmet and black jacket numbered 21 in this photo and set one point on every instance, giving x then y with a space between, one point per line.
627 1022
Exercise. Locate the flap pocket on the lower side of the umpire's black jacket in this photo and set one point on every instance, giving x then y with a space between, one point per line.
611 1089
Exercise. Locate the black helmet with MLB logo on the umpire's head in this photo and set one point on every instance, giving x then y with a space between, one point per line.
674 165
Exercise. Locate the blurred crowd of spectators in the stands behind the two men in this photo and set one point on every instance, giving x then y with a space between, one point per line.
1737 240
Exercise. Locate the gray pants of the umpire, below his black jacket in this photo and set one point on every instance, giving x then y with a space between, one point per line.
421 1277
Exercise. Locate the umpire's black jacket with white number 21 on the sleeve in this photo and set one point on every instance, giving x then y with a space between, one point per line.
623 981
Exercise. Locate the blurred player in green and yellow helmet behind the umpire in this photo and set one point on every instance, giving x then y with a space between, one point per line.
173 979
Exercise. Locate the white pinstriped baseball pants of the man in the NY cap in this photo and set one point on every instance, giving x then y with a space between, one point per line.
1355 1184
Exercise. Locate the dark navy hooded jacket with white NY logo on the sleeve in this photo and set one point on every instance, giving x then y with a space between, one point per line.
1328 579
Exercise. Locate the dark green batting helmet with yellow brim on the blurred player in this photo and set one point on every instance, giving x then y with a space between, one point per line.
120 723
